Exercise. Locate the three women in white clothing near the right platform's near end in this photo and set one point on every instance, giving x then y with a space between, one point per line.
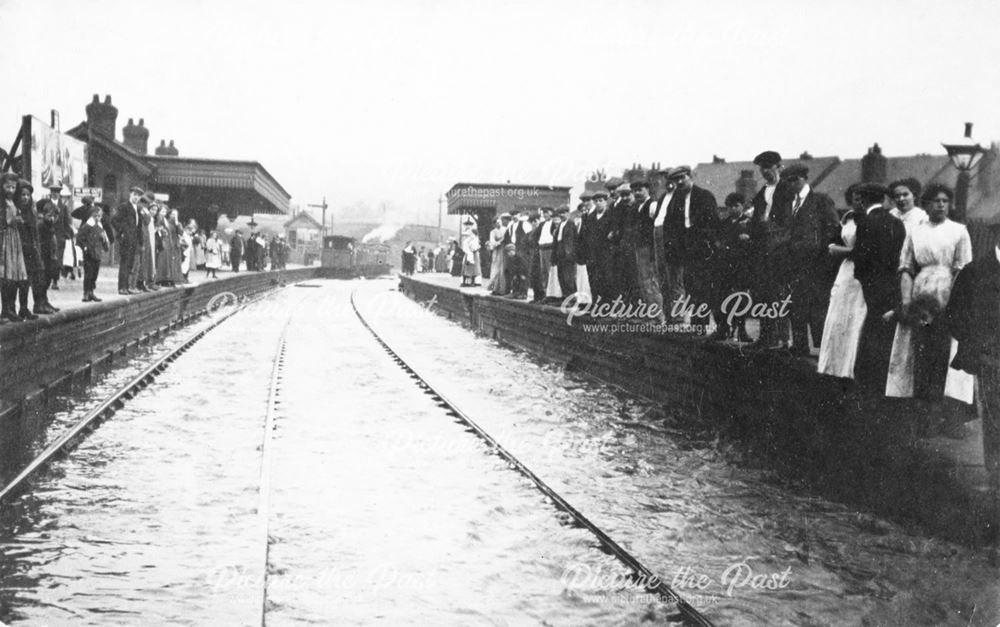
934 250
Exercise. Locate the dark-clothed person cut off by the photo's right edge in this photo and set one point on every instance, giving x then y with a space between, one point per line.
973 317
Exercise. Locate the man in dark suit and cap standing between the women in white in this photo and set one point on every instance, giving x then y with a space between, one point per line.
876 262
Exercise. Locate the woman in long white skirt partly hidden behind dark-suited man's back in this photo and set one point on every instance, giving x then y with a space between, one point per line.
846 314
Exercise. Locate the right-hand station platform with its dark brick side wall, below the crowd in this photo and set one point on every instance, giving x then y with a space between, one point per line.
862 451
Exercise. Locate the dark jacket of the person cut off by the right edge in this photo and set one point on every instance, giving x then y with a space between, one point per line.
973 314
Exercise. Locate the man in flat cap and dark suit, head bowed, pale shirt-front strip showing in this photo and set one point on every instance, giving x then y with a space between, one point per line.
690 228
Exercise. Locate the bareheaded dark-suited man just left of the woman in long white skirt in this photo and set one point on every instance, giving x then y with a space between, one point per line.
809 269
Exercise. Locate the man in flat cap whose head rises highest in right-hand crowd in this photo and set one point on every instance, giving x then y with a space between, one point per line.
769 231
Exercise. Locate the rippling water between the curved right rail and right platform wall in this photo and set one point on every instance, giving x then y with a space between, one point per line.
680 507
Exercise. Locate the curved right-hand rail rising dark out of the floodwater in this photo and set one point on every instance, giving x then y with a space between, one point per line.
653 583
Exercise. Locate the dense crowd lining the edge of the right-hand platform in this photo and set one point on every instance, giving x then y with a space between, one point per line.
870 286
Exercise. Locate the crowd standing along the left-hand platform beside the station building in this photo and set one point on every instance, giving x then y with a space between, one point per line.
40 243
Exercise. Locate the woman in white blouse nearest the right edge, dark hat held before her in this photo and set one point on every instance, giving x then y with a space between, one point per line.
932 255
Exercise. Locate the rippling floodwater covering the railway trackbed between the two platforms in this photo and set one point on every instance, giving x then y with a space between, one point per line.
383 509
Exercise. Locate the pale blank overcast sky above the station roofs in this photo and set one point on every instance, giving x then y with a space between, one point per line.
396 101
